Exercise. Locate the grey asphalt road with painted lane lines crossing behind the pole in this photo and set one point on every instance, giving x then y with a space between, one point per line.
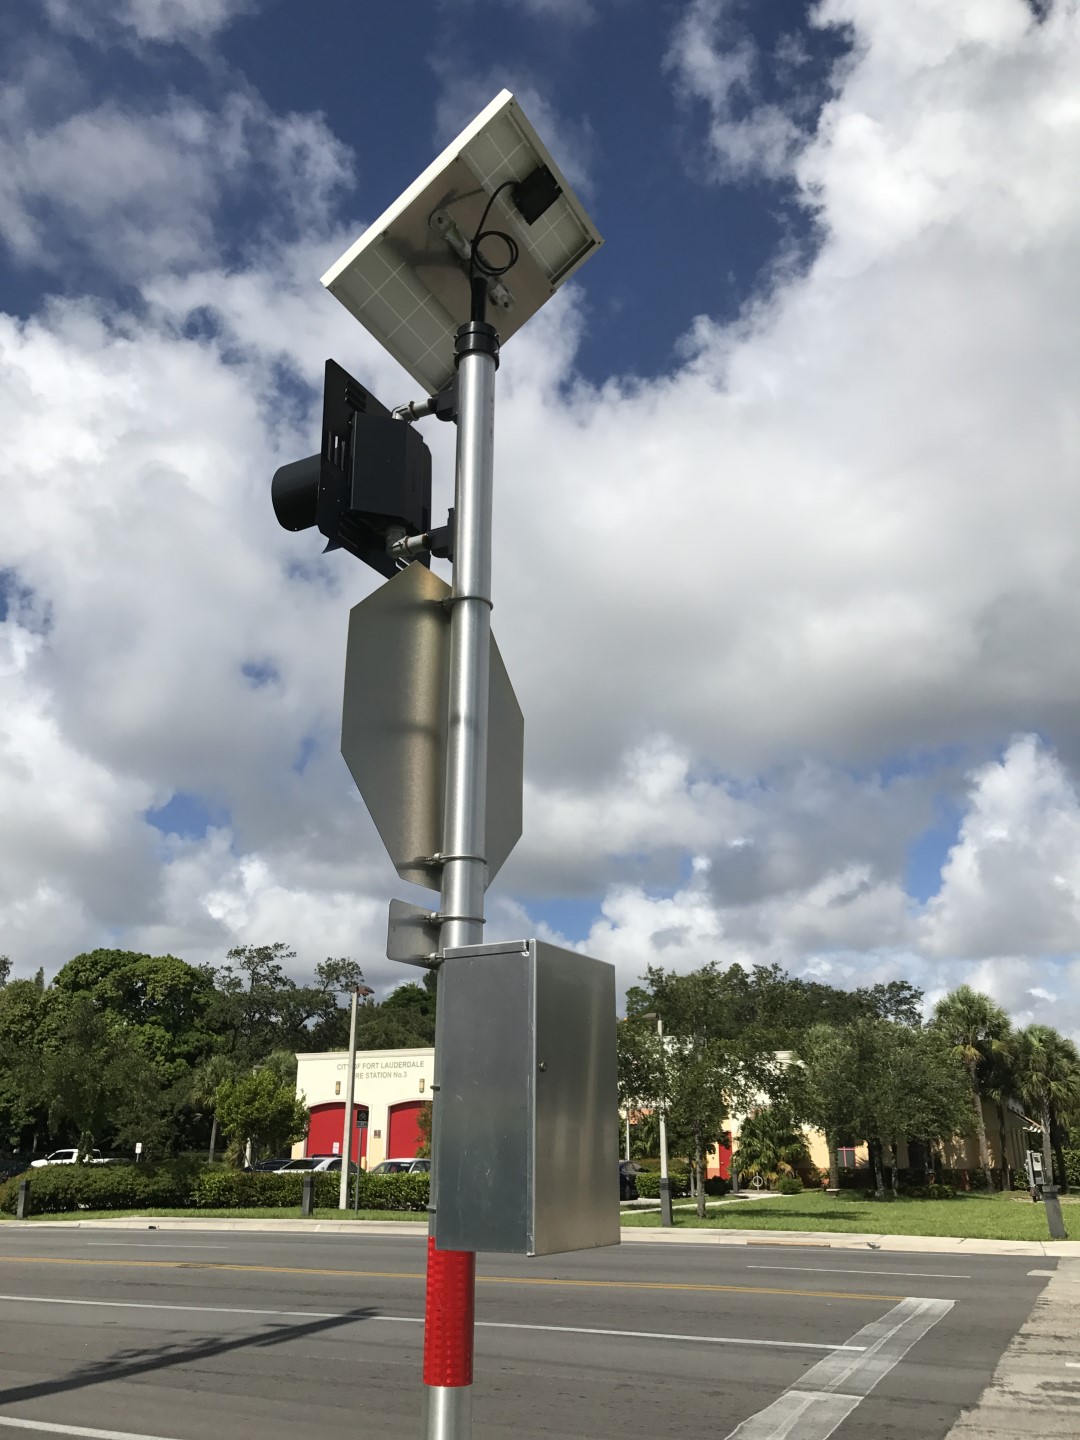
210 1336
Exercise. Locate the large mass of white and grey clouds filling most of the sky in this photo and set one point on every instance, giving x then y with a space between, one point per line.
734 601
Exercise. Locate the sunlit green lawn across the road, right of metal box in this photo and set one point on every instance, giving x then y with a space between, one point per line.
980 1218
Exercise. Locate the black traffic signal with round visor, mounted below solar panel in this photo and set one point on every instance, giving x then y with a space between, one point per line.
371 477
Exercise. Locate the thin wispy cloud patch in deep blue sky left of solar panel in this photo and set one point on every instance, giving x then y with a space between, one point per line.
140 192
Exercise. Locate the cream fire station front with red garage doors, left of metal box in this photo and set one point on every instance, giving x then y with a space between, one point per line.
392 1086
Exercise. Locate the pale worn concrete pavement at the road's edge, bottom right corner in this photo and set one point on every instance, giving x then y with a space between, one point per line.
1036 1389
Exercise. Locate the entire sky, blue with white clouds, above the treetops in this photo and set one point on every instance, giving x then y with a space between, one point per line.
786 509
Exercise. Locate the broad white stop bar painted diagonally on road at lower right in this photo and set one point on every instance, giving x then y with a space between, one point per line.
829 1393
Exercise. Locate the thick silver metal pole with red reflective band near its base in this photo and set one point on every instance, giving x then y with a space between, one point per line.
451 1274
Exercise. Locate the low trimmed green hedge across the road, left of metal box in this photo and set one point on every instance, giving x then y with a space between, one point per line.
182 1184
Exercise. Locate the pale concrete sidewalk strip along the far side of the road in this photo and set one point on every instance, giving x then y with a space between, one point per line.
784 1239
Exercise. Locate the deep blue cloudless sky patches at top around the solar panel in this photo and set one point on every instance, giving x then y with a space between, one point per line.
676 246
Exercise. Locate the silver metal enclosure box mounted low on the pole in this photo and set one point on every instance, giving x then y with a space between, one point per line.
526 1115
